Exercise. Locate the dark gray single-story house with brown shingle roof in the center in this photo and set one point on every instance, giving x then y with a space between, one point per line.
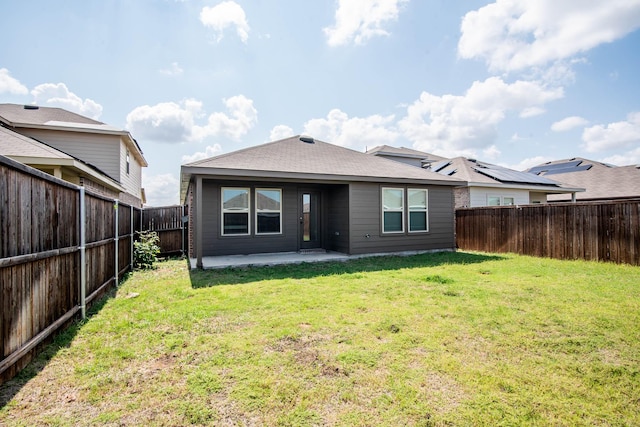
301 194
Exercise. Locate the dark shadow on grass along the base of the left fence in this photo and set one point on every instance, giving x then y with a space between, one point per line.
45 351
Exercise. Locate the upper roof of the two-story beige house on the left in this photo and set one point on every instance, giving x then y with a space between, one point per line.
33 116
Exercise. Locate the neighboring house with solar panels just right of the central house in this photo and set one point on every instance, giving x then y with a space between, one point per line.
486 184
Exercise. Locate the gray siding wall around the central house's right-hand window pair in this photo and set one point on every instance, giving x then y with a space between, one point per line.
366 229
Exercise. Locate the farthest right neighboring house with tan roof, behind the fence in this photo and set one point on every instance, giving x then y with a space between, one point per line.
602 182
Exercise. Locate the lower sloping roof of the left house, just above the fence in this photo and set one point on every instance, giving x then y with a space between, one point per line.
35 153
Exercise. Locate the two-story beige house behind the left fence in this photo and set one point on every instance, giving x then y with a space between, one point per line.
105 150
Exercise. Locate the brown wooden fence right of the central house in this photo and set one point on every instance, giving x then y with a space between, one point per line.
590 231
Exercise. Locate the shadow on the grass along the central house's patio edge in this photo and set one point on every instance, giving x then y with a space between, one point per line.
244 275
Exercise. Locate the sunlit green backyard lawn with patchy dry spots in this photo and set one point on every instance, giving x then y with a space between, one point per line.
449 339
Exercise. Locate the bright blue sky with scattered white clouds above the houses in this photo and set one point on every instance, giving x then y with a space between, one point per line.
511 82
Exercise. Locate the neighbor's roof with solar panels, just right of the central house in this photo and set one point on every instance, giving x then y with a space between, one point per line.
478 173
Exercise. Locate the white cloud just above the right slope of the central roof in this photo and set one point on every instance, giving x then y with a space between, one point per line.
354 132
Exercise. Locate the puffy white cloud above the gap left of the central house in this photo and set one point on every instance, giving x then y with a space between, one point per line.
176 122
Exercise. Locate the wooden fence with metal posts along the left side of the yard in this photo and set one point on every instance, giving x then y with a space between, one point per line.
60 248
